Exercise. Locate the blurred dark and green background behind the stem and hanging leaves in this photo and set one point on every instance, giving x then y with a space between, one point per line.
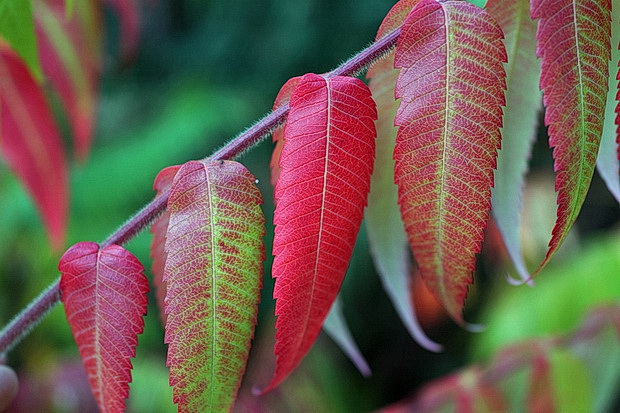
206 70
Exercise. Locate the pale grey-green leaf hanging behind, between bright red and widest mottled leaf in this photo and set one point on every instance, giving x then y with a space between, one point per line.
386 233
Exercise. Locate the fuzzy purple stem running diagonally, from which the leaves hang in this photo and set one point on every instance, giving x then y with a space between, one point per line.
23 323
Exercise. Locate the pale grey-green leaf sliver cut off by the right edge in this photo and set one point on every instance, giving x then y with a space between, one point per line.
608 161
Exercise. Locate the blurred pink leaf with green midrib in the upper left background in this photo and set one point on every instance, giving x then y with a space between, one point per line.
70 51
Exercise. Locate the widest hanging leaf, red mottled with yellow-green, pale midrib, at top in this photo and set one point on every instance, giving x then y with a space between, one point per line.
451 85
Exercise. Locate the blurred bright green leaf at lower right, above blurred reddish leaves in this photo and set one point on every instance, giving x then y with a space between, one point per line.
558 302
